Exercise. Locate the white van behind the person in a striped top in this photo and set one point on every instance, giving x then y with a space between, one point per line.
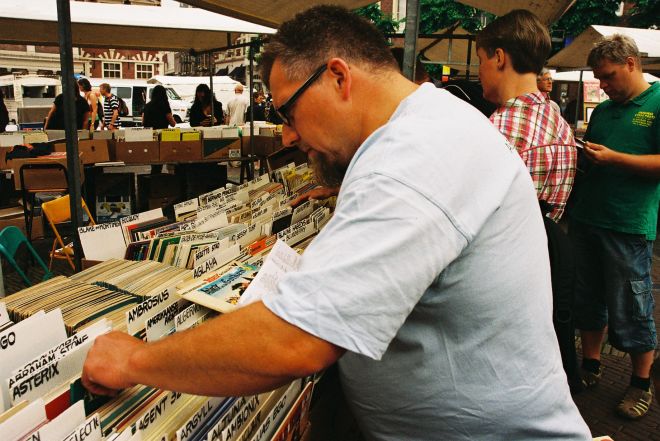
136 93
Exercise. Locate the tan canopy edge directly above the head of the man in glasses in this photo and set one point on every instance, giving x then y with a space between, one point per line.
268 12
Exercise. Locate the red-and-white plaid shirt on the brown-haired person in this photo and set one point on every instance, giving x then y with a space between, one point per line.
533 125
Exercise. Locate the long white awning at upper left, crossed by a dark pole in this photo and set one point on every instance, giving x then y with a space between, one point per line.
121 26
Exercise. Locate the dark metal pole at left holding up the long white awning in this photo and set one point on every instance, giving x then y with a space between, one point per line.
69 91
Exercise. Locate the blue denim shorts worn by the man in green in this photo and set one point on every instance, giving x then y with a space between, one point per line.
613 286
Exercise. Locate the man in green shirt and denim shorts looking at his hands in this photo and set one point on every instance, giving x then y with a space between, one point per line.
613 220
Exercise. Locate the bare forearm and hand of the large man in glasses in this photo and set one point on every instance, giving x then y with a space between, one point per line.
248 351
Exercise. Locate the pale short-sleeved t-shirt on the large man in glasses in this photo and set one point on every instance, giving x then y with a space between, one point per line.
434 275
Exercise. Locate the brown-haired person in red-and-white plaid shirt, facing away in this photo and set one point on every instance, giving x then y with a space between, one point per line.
512 51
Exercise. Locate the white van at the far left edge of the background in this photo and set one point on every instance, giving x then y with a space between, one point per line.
29 97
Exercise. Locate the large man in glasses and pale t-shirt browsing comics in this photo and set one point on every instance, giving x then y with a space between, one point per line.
430 285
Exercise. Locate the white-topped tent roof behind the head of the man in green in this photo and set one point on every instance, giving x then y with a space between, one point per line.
574 56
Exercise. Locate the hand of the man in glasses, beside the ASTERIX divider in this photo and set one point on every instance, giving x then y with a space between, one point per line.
106 369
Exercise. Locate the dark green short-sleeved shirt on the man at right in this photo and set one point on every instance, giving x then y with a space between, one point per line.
608 196
